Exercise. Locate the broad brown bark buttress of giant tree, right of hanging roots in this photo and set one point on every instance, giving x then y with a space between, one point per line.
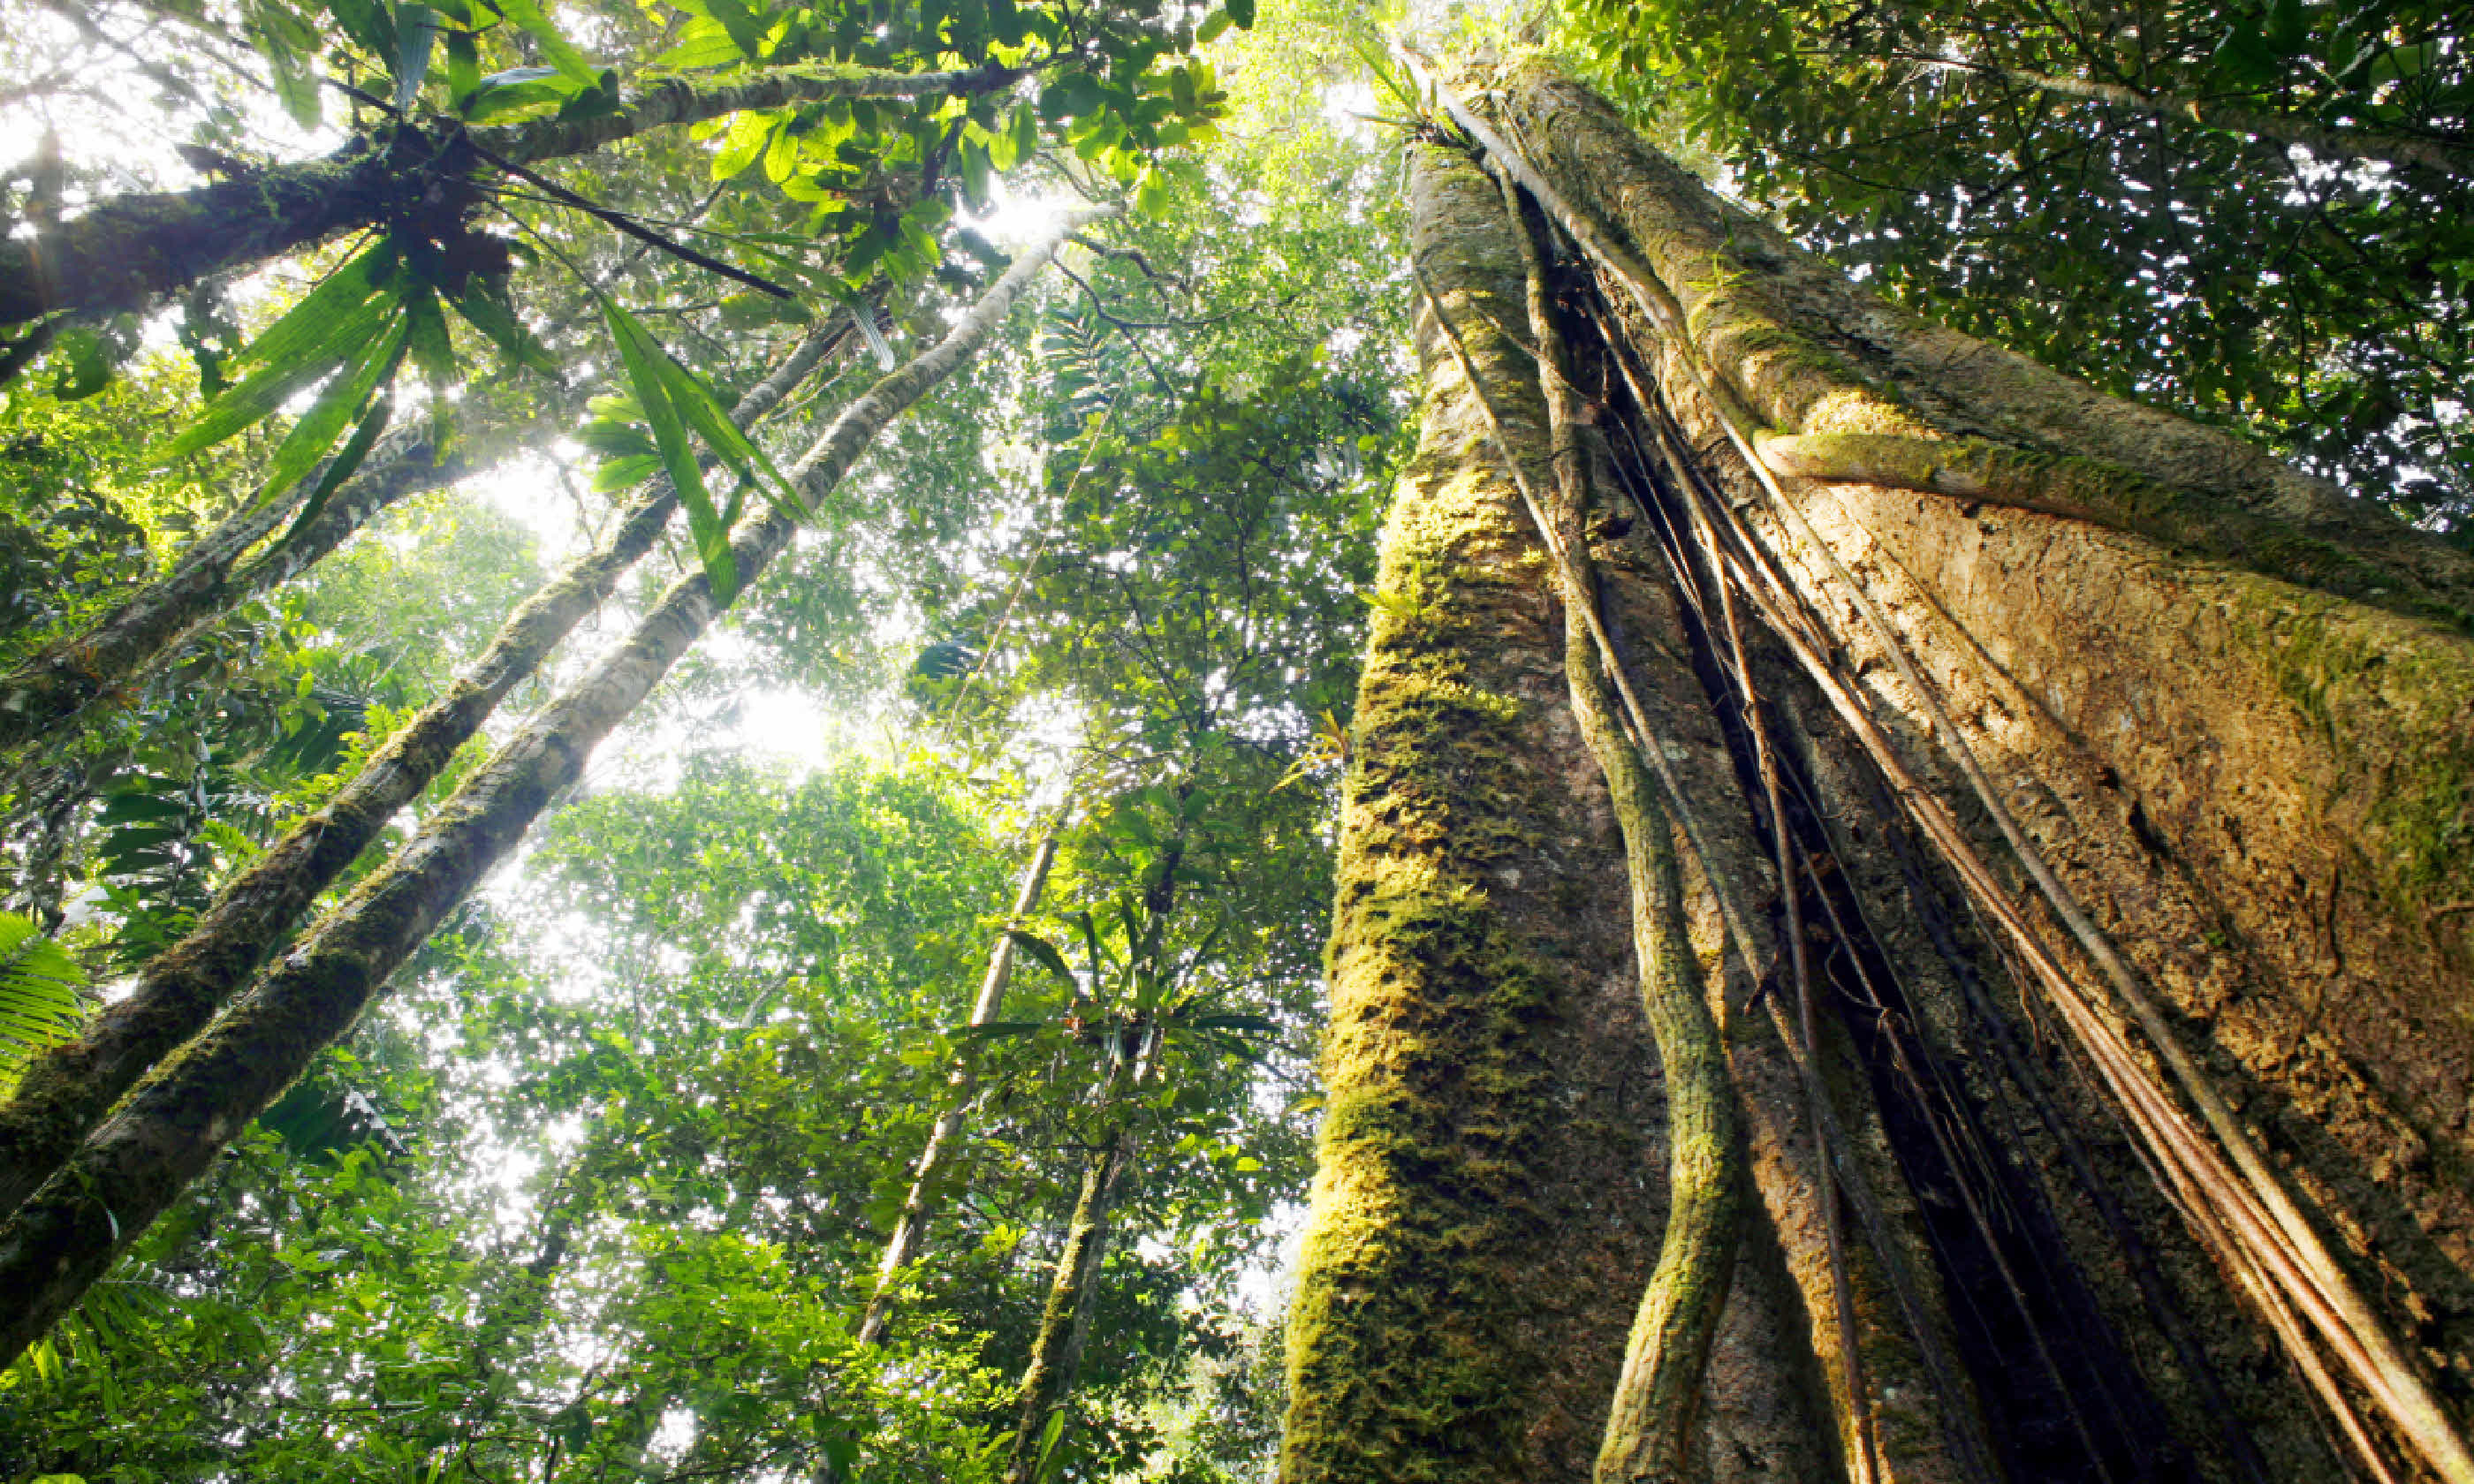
2258 788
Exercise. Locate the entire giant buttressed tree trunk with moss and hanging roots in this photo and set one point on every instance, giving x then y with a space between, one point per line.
2124 820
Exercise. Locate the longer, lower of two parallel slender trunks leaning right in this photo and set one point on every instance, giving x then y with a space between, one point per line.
177 1122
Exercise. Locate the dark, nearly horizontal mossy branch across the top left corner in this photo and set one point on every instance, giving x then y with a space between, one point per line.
125 254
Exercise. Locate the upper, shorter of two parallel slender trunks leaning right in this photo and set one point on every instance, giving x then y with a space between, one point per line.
73 1087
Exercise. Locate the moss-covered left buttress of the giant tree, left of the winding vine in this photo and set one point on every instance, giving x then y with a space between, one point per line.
1491 1191
